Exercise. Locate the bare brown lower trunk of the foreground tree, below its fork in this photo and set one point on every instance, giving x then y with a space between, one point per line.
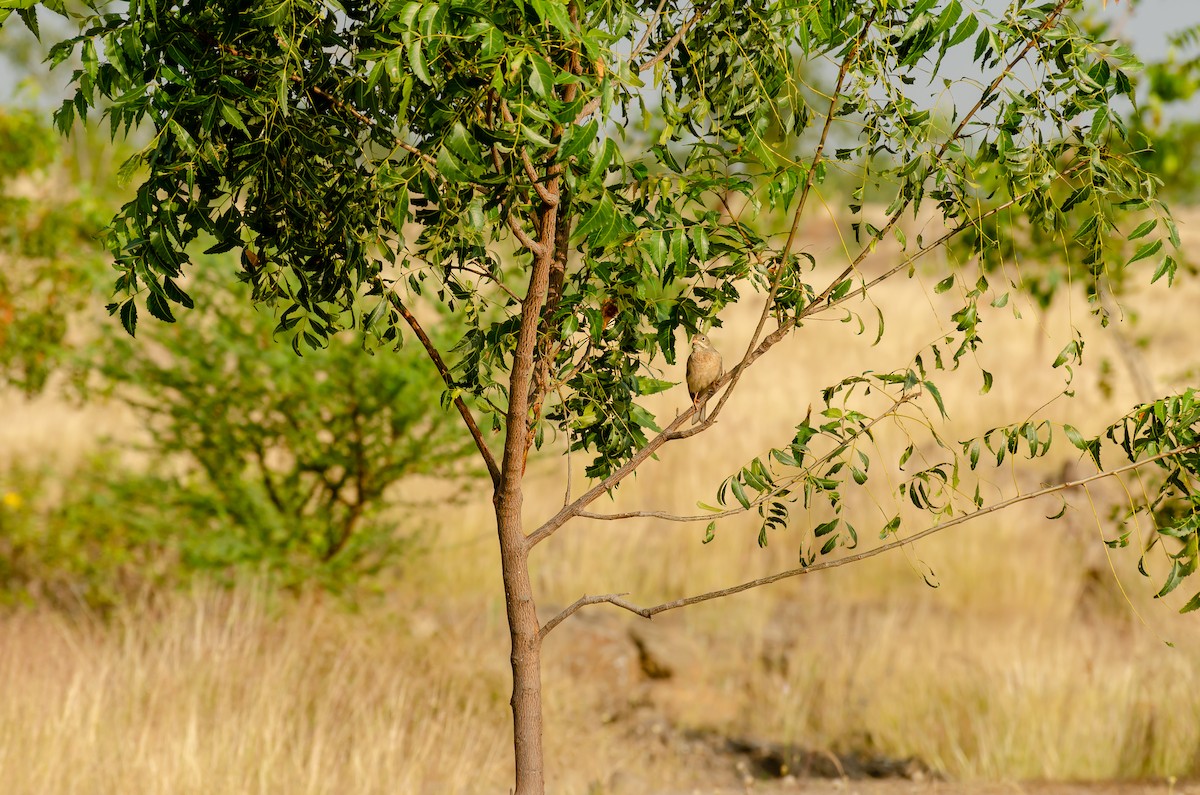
526 656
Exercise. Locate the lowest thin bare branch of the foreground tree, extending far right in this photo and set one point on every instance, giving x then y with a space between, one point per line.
651 612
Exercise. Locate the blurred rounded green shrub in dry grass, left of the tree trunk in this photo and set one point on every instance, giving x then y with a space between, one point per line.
284 462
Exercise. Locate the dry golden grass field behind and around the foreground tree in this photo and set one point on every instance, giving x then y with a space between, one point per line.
1037 657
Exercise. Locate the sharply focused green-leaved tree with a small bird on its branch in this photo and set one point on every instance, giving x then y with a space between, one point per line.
489 153
